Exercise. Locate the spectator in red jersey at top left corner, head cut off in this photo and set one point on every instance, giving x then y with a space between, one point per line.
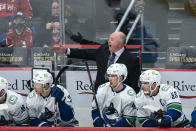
8 10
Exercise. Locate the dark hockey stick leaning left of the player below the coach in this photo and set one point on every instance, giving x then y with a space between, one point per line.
94 95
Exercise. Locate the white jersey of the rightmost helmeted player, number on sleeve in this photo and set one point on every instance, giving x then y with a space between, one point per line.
167 98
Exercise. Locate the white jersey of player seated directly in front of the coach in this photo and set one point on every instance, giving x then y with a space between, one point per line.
115 105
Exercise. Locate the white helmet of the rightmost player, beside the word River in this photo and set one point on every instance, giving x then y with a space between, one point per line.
151 76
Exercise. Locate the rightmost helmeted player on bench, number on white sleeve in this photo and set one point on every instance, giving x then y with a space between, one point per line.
158 105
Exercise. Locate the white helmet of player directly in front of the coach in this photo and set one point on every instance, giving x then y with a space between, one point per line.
117 69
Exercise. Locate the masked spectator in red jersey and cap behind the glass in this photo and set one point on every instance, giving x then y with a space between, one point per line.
20 35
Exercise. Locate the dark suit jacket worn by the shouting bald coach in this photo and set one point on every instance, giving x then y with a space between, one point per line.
101 56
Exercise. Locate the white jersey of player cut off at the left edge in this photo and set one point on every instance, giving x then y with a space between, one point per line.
16 112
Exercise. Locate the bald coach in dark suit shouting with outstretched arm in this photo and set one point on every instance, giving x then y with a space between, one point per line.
113 51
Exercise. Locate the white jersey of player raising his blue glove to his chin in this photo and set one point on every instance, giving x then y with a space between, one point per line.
37 106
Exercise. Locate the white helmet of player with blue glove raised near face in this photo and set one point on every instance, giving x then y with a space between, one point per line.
43 77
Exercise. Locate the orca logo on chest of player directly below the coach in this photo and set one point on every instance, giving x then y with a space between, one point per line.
109 113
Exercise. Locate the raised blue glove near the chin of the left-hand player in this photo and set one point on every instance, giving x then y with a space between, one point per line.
57 93
